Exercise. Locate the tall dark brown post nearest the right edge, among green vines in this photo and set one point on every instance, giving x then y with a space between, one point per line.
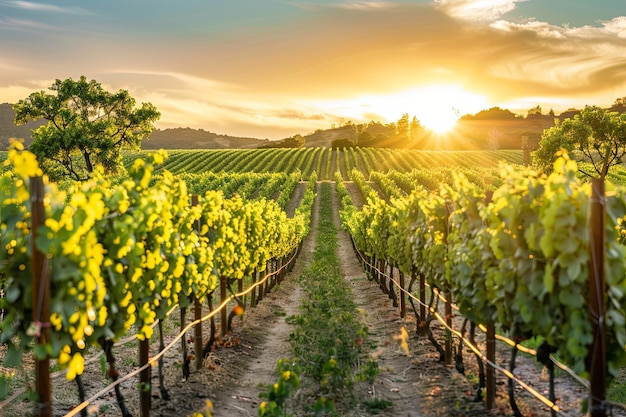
596 358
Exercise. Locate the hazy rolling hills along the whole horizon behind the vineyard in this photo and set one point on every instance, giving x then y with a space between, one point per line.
471 132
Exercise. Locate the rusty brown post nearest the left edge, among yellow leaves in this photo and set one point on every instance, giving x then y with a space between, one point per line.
41 299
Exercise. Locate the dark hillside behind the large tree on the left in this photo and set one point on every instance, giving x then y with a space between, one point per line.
179 138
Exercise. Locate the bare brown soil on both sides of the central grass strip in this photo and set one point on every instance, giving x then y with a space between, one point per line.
416 382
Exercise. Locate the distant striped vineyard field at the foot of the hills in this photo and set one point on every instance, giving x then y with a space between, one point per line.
324 162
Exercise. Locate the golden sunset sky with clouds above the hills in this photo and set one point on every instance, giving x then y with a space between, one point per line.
275 68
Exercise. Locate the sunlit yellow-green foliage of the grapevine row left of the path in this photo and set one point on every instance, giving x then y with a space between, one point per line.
120 256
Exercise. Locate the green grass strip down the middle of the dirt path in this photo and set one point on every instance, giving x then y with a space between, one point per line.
327 334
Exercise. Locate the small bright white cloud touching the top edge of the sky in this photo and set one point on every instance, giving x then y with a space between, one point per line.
477 10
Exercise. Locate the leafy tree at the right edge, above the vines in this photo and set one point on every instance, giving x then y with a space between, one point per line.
598 135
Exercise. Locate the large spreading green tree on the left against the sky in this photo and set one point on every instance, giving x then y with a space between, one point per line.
87 127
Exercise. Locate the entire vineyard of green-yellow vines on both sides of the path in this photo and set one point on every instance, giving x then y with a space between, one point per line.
484 240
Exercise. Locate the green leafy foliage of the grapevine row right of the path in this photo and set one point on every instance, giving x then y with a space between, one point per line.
519 259
